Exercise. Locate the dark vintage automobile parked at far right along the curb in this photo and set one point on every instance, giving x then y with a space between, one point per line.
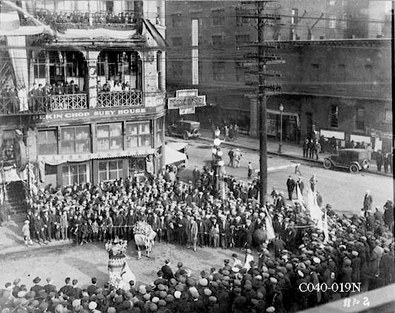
354 160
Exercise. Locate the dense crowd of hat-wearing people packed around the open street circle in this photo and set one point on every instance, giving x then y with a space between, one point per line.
359 248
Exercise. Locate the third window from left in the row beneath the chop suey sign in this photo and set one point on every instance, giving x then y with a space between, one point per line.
109 137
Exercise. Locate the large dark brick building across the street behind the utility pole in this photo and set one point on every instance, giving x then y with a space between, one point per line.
336 76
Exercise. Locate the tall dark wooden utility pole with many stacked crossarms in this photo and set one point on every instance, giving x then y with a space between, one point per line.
264 89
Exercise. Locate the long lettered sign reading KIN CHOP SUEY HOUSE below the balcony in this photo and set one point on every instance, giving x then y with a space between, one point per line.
86 114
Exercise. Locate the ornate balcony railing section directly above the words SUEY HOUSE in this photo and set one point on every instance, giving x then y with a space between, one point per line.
119 99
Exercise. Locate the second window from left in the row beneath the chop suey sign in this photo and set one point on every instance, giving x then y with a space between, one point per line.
75 140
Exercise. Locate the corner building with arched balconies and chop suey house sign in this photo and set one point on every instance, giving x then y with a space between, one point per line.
100 109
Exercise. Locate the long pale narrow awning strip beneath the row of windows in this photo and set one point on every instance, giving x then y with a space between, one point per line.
56 159
